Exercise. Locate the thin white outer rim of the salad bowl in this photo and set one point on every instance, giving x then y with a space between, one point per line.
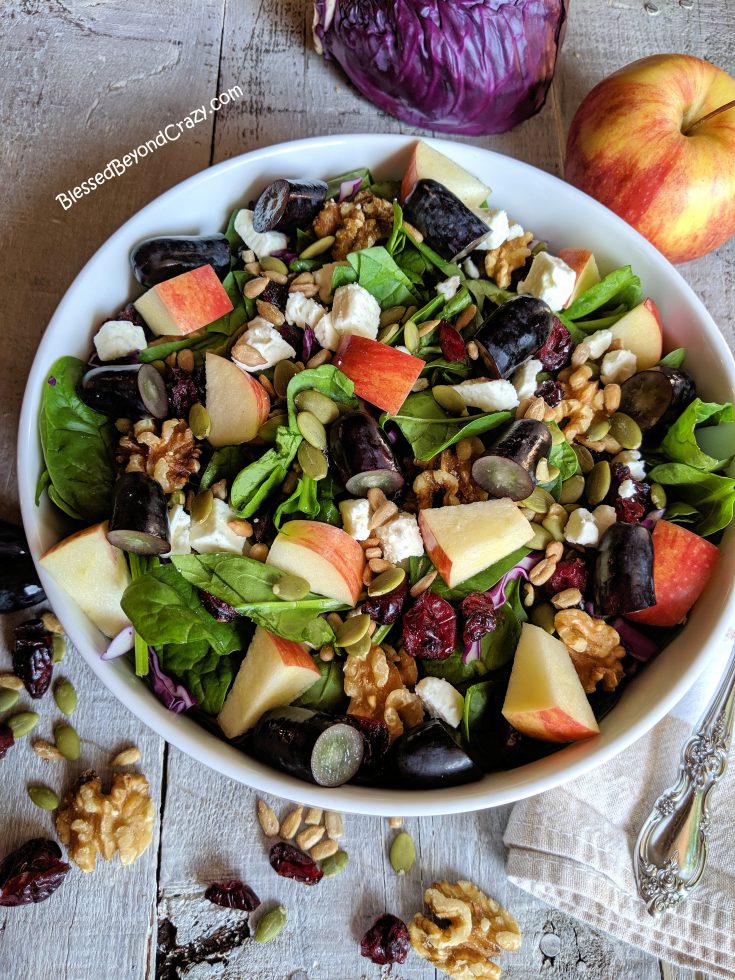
208 748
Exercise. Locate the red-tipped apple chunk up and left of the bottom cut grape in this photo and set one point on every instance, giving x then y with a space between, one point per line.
274 673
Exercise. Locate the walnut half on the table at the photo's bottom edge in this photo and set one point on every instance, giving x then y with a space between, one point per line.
464 930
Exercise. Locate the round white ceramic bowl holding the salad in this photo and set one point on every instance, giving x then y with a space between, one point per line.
554 211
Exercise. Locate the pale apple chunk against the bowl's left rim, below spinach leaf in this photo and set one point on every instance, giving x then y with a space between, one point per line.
94 573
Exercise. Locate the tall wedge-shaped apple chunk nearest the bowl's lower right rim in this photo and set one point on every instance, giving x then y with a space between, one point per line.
545 698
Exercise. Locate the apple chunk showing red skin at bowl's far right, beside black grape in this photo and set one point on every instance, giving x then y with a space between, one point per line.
683 563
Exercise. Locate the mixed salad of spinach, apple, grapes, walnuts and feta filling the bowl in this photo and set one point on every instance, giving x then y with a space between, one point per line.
380 485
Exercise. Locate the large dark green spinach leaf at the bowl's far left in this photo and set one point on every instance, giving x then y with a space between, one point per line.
78 445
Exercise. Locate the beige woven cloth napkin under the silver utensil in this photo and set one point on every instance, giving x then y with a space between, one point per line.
572 847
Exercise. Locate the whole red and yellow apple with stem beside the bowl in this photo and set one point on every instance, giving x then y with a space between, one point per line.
655 142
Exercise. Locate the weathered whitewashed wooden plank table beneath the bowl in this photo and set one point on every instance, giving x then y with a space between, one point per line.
83 81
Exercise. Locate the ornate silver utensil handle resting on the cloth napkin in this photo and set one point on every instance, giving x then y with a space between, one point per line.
671 850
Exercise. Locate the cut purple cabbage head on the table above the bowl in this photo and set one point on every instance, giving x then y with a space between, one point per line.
470 66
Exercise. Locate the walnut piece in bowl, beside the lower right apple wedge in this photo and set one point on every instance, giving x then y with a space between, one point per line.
594 647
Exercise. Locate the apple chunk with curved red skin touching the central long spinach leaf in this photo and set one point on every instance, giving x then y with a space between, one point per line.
329 559
